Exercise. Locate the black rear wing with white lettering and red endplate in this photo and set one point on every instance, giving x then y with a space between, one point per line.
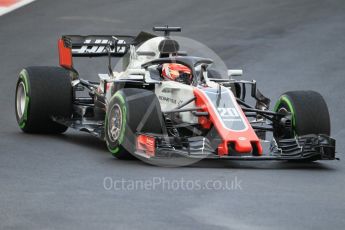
96 46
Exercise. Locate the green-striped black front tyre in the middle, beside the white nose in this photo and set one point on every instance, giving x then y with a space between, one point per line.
129 112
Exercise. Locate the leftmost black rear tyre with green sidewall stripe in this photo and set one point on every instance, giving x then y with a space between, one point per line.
43 92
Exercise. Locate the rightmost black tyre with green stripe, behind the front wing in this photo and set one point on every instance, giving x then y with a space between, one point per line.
309 112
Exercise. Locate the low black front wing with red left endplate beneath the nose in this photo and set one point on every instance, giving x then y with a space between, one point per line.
303 148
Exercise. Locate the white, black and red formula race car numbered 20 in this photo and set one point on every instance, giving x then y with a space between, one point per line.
164 103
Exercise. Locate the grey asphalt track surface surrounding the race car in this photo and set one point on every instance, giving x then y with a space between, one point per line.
56 182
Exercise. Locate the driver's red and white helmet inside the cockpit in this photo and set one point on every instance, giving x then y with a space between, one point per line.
176 72
